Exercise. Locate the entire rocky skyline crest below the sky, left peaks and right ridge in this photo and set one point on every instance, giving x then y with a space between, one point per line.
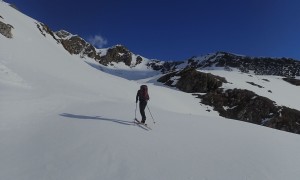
284 67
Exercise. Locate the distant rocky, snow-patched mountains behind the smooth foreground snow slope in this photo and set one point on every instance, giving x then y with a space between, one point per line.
189 76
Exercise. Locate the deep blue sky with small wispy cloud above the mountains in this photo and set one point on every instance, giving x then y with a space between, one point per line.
177 30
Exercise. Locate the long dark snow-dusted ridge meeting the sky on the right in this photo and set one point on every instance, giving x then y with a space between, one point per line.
285 67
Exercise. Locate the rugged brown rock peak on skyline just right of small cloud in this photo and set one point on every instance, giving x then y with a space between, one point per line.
117 54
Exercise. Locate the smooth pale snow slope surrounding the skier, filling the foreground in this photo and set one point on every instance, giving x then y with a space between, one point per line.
60 118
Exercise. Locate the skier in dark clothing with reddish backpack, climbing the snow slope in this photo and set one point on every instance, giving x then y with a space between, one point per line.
143 96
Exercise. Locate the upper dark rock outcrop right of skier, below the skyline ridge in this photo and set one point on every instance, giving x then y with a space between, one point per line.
190 80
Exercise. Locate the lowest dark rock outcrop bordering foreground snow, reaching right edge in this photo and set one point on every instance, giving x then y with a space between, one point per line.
246 106
